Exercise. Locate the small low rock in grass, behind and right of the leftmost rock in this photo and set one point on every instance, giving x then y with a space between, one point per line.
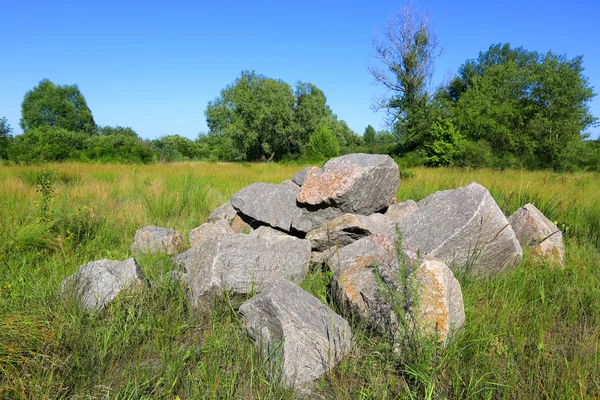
155 239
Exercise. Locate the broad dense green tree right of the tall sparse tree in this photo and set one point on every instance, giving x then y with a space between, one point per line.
530 108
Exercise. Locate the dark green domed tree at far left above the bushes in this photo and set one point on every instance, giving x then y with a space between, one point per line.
56 106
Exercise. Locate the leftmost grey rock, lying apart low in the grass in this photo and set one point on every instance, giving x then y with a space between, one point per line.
96 283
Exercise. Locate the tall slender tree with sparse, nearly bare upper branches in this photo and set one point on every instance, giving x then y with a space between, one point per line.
407 50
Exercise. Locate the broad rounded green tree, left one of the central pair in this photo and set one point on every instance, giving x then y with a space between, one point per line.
257 114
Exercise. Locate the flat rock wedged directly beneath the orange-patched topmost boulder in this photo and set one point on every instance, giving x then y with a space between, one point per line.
344 230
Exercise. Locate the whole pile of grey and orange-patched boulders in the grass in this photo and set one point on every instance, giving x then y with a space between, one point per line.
343 216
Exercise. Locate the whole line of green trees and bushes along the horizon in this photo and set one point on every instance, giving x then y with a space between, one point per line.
507 108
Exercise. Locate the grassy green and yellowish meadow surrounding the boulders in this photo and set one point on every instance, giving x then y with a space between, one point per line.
532 332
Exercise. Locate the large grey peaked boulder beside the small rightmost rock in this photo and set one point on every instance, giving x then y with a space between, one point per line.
465 228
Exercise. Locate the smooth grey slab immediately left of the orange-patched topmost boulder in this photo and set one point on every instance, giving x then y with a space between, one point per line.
269 203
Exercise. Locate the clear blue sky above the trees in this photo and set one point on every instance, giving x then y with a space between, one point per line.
155 66
